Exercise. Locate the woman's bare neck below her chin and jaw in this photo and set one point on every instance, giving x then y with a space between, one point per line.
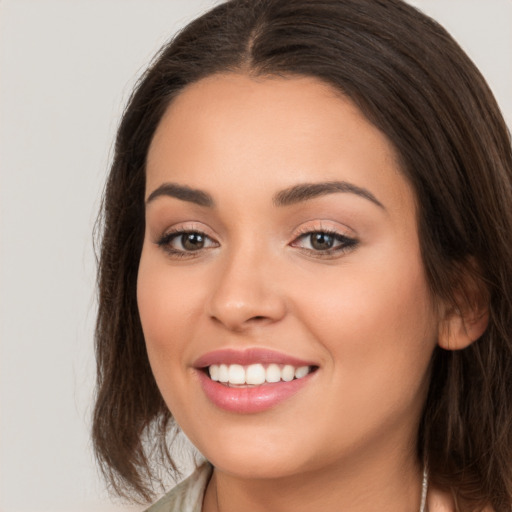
381 484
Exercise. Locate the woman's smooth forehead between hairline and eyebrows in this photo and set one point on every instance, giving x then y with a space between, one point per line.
271 131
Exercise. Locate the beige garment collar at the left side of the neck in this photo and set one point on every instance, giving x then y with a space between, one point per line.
186 496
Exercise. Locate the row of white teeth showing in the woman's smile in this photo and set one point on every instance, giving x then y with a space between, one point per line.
256 374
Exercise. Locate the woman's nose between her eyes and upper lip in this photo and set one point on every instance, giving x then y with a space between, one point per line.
246 292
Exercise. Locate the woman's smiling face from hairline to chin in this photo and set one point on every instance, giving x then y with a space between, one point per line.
281 242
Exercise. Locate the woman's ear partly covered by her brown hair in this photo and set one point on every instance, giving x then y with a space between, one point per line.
465 322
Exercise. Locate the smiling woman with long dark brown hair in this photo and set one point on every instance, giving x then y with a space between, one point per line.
306 265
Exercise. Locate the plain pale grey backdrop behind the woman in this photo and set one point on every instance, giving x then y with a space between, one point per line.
67 68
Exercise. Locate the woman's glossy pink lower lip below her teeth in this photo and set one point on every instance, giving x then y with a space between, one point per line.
251 399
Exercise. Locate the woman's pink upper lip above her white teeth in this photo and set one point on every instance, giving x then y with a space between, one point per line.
247 357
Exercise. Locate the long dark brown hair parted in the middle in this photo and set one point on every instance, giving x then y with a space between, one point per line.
413 82
